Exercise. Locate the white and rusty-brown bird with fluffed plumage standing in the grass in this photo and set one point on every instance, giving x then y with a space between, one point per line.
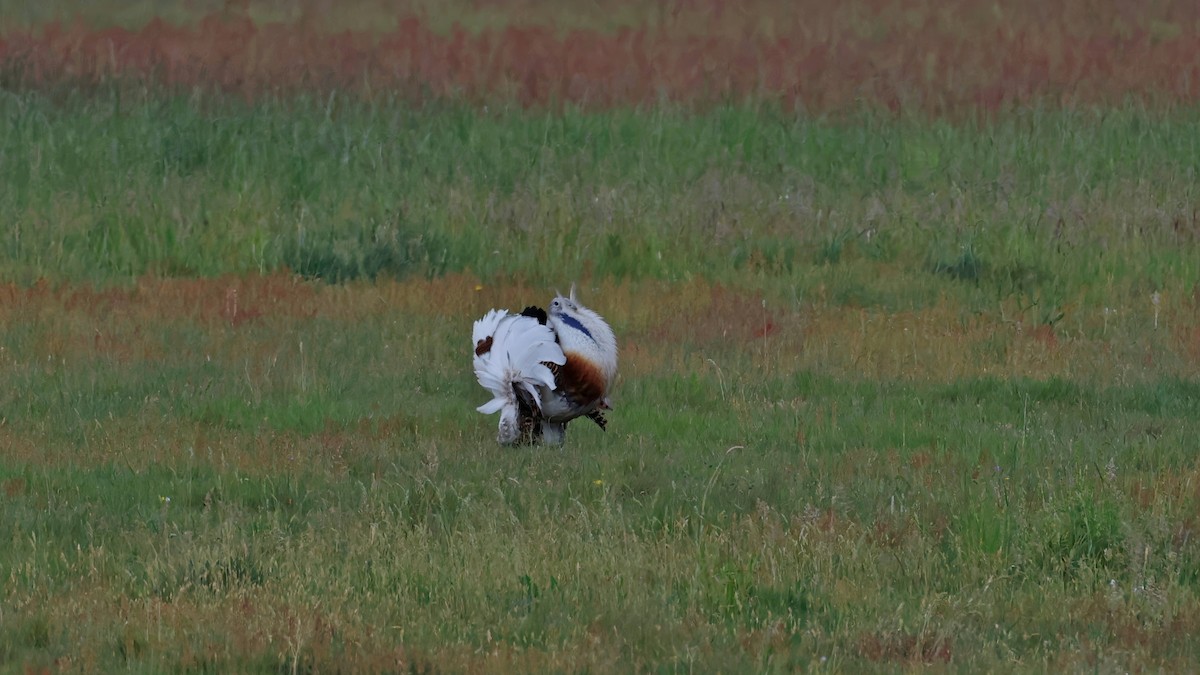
545 369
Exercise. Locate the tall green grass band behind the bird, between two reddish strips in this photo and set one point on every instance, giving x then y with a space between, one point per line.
1046 206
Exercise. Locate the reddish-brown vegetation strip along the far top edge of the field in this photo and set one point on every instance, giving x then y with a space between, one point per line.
905 55
